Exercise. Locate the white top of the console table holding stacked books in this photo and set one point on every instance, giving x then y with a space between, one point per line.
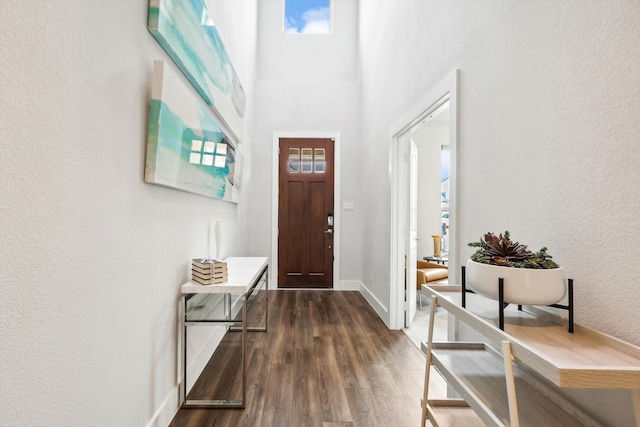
243 272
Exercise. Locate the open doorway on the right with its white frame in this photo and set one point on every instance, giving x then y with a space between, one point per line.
415 219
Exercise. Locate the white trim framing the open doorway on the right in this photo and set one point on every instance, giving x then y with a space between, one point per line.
447 89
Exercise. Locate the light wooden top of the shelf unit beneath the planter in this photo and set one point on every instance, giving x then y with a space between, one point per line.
584 359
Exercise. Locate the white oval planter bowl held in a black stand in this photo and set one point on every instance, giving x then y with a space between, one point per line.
525 286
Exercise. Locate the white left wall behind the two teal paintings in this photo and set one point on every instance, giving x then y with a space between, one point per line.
92 257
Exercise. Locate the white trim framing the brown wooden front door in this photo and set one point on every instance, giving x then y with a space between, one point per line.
273 269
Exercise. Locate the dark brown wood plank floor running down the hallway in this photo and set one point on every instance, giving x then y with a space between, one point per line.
328 360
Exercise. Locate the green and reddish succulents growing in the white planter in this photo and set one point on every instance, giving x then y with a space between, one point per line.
502 251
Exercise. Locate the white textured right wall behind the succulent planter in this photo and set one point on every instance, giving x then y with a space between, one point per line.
549 136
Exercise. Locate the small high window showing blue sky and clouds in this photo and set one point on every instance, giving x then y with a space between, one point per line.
307 16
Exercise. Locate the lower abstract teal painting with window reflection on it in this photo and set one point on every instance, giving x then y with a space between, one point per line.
186 148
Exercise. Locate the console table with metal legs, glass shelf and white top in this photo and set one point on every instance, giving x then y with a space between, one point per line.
219 304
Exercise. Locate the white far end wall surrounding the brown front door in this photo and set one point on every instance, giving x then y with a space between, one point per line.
307 83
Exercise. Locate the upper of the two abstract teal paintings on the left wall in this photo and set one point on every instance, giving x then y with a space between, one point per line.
186 32
